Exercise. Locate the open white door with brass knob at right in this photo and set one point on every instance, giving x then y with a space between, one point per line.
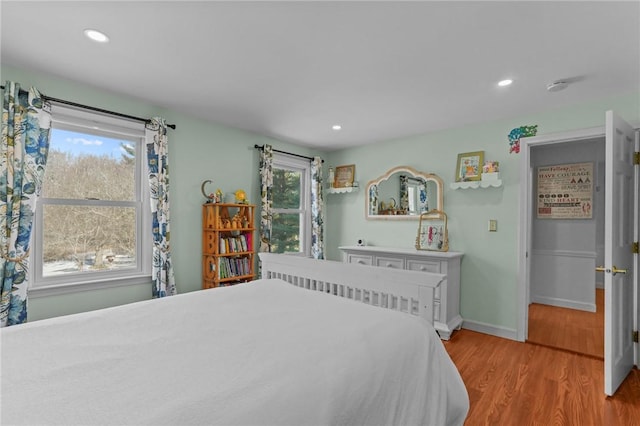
618 256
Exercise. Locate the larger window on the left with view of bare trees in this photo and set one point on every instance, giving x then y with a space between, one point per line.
91 227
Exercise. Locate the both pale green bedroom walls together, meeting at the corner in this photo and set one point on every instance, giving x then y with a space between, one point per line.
201 150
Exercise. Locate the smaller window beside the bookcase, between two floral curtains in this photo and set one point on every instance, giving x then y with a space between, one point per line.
291 220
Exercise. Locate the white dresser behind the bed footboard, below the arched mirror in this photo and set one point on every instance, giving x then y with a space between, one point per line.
447 297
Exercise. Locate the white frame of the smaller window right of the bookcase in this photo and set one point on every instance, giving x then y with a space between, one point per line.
288 162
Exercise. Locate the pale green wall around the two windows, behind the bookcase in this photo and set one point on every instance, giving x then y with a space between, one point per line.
198 150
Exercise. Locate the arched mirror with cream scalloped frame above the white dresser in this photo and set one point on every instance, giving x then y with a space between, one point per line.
403 193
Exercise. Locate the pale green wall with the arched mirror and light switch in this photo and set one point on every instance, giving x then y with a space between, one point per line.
489 275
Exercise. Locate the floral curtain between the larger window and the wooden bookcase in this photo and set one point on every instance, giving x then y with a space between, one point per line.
158 169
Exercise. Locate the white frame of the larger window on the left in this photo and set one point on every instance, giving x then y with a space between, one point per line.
75 119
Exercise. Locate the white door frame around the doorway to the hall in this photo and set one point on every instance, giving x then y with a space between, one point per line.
526 209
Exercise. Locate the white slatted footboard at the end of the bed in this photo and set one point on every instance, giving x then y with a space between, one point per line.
411 292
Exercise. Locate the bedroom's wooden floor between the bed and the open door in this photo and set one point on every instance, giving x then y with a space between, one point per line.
515 383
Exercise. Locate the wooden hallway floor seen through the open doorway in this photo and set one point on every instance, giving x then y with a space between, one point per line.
570 329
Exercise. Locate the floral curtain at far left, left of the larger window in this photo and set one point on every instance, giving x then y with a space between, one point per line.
26 122
